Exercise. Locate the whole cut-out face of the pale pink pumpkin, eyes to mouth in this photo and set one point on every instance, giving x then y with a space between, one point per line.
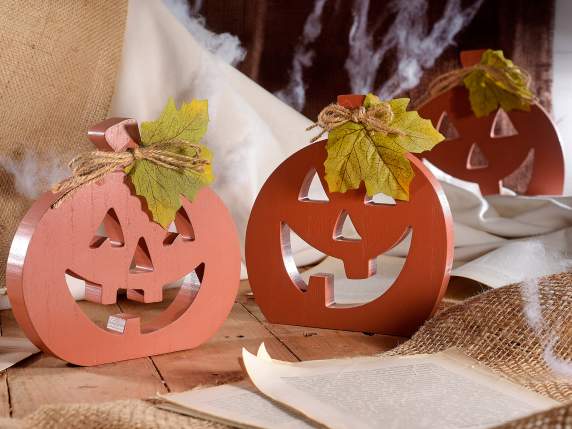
142 310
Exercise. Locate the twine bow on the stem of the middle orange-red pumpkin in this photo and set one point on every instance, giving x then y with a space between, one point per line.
376 118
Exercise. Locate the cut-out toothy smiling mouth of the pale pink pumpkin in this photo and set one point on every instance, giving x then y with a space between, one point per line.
132 312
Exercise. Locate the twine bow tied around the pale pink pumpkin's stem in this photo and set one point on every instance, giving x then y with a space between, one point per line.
89 167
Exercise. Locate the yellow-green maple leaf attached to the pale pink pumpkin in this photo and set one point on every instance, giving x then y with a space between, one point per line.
162 187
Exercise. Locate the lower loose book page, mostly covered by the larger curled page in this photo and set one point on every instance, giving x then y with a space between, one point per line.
238 404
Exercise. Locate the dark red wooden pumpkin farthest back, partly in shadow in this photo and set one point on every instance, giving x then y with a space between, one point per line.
535 132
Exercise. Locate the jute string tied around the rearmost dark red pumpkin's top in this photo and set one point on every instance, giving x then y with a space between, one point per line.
449 80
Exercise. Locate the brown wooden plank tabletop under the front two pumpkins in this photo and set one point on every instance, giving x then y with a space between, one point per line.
43 379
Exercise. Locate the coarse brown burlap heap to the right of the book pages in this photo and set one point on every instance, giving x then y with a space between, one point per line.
493 329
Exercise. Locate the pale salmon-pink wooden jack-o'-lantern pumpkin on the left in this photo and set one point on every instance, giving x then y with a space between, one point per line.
136 255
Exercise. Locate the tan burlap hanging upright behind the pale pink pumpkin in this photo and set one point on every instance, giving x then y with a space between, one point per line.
58 62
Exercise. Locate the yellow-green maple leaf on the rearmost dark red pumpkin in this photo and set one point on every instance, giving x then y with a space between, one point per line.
486 93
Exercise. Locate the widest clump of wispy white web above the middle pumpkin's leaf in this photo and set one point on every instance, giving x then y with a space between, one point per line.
416 45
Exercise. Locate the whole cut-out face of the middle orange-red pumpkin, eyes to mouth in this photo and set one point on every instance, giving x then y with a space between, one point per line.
348 282
